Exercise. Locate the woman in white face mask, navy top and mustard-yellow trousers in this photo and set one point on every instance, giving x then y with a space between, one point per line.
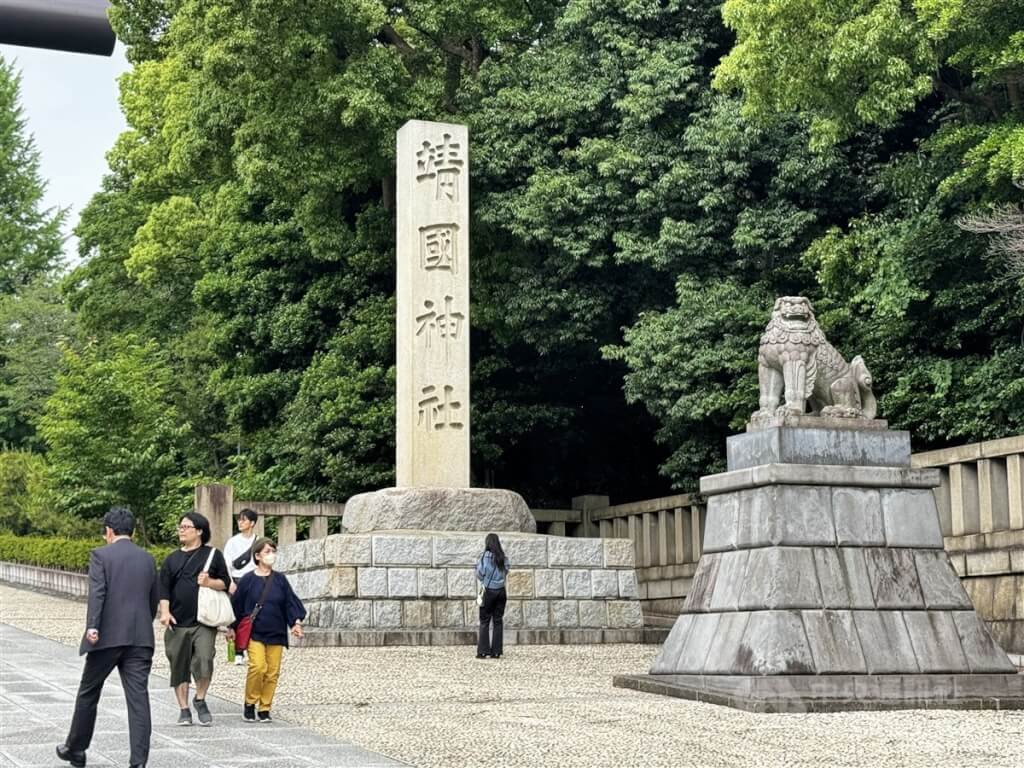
269 600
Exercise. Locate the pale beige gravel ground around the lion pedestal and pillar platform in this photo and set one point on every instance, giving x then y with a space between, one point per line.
554 706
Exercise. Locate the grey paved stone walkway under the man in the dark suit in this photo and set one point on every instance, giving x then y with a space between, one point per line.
38 682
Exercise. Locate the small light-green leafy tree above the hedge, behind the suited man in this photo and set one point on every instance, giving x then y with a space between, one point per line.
114 434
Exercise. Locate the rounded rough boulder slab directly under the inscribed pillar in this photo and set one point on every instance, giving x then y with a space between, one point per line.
438 509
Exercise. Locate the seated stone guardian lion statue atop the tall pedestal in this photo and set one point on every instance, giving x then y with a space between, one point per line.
796 361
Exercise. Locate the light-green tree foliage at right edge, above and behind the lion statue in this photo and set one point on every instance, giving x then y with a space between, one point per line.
937 84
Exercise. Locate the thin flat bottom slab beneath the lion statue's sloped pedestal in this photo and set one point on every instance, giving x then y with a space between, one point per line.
794 694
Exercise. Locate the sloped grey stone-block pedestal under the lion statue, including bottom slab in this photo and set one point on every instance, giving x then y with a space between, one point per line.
824 586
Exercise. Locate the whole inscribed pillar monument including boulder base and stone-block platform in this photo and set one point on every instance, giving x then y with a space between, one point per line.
403 573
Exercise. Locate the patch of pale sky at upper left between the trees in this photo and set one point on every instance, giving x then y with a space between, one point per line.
70 103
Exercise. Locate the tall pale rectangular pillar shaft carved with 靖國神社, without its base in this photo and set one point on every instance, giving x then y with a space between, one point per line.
433 408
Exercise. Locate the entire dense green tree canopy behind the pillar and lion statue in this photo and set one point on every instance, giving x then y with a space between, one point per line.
648 176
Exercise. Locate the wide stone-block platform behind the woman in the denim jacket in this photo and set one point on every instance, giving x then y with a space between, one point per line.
419 588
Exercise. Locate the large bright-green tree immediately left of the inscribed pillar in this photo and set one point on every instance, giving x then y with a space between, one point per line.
247 221
